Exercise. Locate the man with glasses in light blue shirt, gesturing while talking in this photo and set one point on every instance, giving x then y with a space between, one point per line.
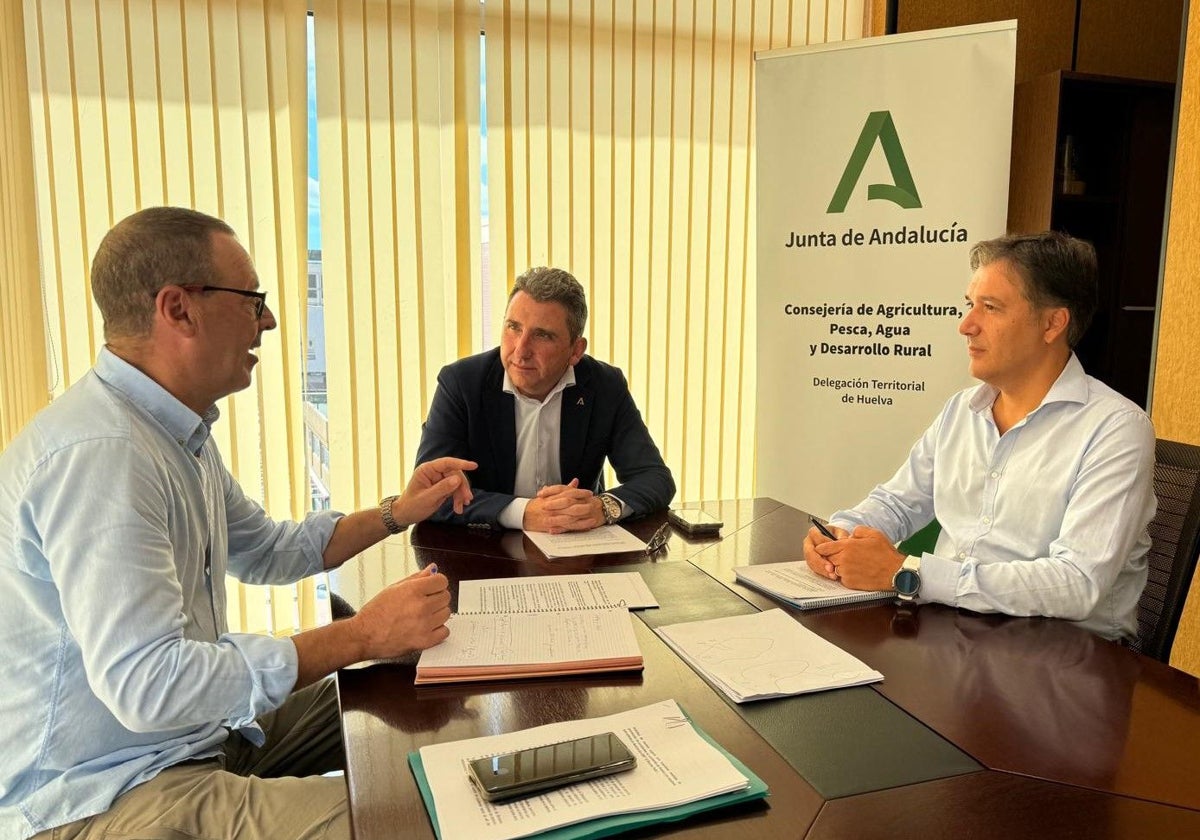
129 709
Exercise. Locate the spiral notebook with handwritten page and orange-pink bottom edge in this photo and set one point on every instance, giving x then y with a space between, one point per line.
508 646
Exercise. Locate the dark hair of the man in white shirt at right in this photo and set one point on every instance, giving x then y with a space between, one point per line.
1057 269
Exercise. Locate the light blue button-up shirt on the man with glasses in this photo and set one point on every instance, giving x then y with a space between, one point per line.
118 524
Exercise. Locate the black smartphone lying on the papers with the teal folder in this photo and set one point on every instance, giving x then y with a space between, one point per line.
542 769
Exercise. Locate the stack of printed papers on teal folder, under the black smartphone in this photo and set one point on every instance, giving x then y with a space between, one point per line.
680 772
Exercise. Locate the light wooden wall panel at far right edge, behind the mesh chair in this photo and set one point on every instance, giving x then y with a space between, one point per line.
1175 405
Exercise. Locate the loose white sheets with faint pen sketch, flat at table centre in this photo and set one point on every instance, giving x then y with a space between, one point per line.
765 655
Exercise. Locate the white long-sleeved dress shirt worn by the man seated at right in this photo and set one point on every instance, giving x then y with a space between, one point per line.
1047 520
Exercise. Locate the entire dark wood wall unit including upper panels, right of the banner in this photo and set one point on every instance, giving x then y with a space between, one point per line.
1095 77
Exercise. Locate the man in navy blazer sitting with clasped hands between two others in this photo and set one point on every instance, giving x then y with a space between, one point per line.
541 418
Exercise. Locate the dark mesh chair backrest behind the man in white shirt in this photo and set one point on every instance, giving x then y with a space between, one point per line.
1175 535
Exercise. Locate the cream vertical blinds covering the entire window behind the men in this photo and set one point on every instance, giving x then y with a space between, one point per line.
619 145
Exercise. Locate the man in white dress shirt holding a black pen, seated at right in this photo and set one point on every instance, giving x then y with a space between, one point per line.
1042 478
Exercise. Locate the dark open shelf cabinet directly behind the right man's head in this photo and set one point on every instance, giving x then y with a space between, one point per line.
1090 158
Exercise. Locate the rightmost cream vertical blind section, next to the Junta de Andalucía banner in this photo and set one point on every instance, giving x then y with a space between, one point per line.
621 147
